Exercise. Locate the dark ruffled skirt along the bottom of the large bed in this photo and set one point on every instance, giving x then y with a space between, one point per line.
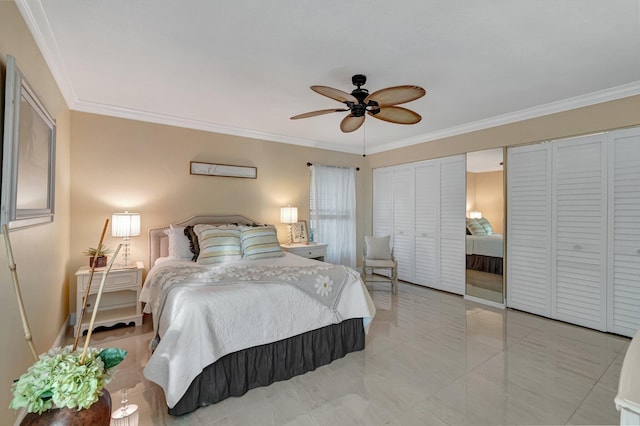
236 373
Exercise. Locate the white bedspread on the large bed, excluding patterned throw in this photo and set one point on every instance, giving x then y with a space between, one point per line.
202 323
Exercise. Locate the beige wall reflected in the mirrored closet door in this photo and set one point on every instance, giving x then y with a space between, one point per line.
486 196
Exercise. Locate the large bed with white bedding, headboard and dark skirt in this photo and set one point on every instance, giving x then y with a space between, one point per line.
227 327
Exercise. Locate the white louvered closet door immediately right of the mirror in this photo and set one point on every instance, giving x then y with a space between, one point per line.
529 229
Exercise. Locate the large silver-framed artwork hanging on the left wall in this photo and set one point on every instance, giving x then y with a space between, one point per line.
28 155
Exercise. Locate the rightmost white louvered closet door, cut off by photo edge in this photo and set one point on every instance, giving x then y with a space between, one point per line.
624 238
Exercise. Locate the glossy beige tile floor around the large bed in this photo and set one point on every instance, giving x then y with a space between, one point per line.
431 359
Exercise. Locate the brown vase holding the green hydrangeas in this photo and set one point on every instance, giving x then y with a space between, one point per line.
98 414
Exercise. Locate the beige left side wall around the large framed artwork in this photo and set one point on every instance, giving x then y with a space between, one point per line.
41 253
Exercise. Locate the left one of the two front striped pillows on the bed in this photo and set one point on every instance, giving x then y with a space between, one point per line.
218 244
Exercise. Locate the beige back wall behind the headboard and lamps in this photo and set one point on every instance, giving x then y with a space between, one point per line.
120 164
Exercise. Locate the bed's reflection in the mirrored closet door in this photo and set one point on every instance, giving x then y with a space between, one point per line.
484 248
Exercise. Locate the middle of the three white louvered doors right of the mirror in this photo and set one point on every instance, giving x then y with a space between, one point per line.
579 250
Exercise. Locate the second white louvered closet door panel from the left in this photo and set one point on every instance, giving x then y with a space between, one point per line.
403 226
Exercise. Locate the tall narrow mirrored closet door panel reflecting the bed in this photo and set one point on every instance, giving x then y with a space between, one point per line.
485 218
